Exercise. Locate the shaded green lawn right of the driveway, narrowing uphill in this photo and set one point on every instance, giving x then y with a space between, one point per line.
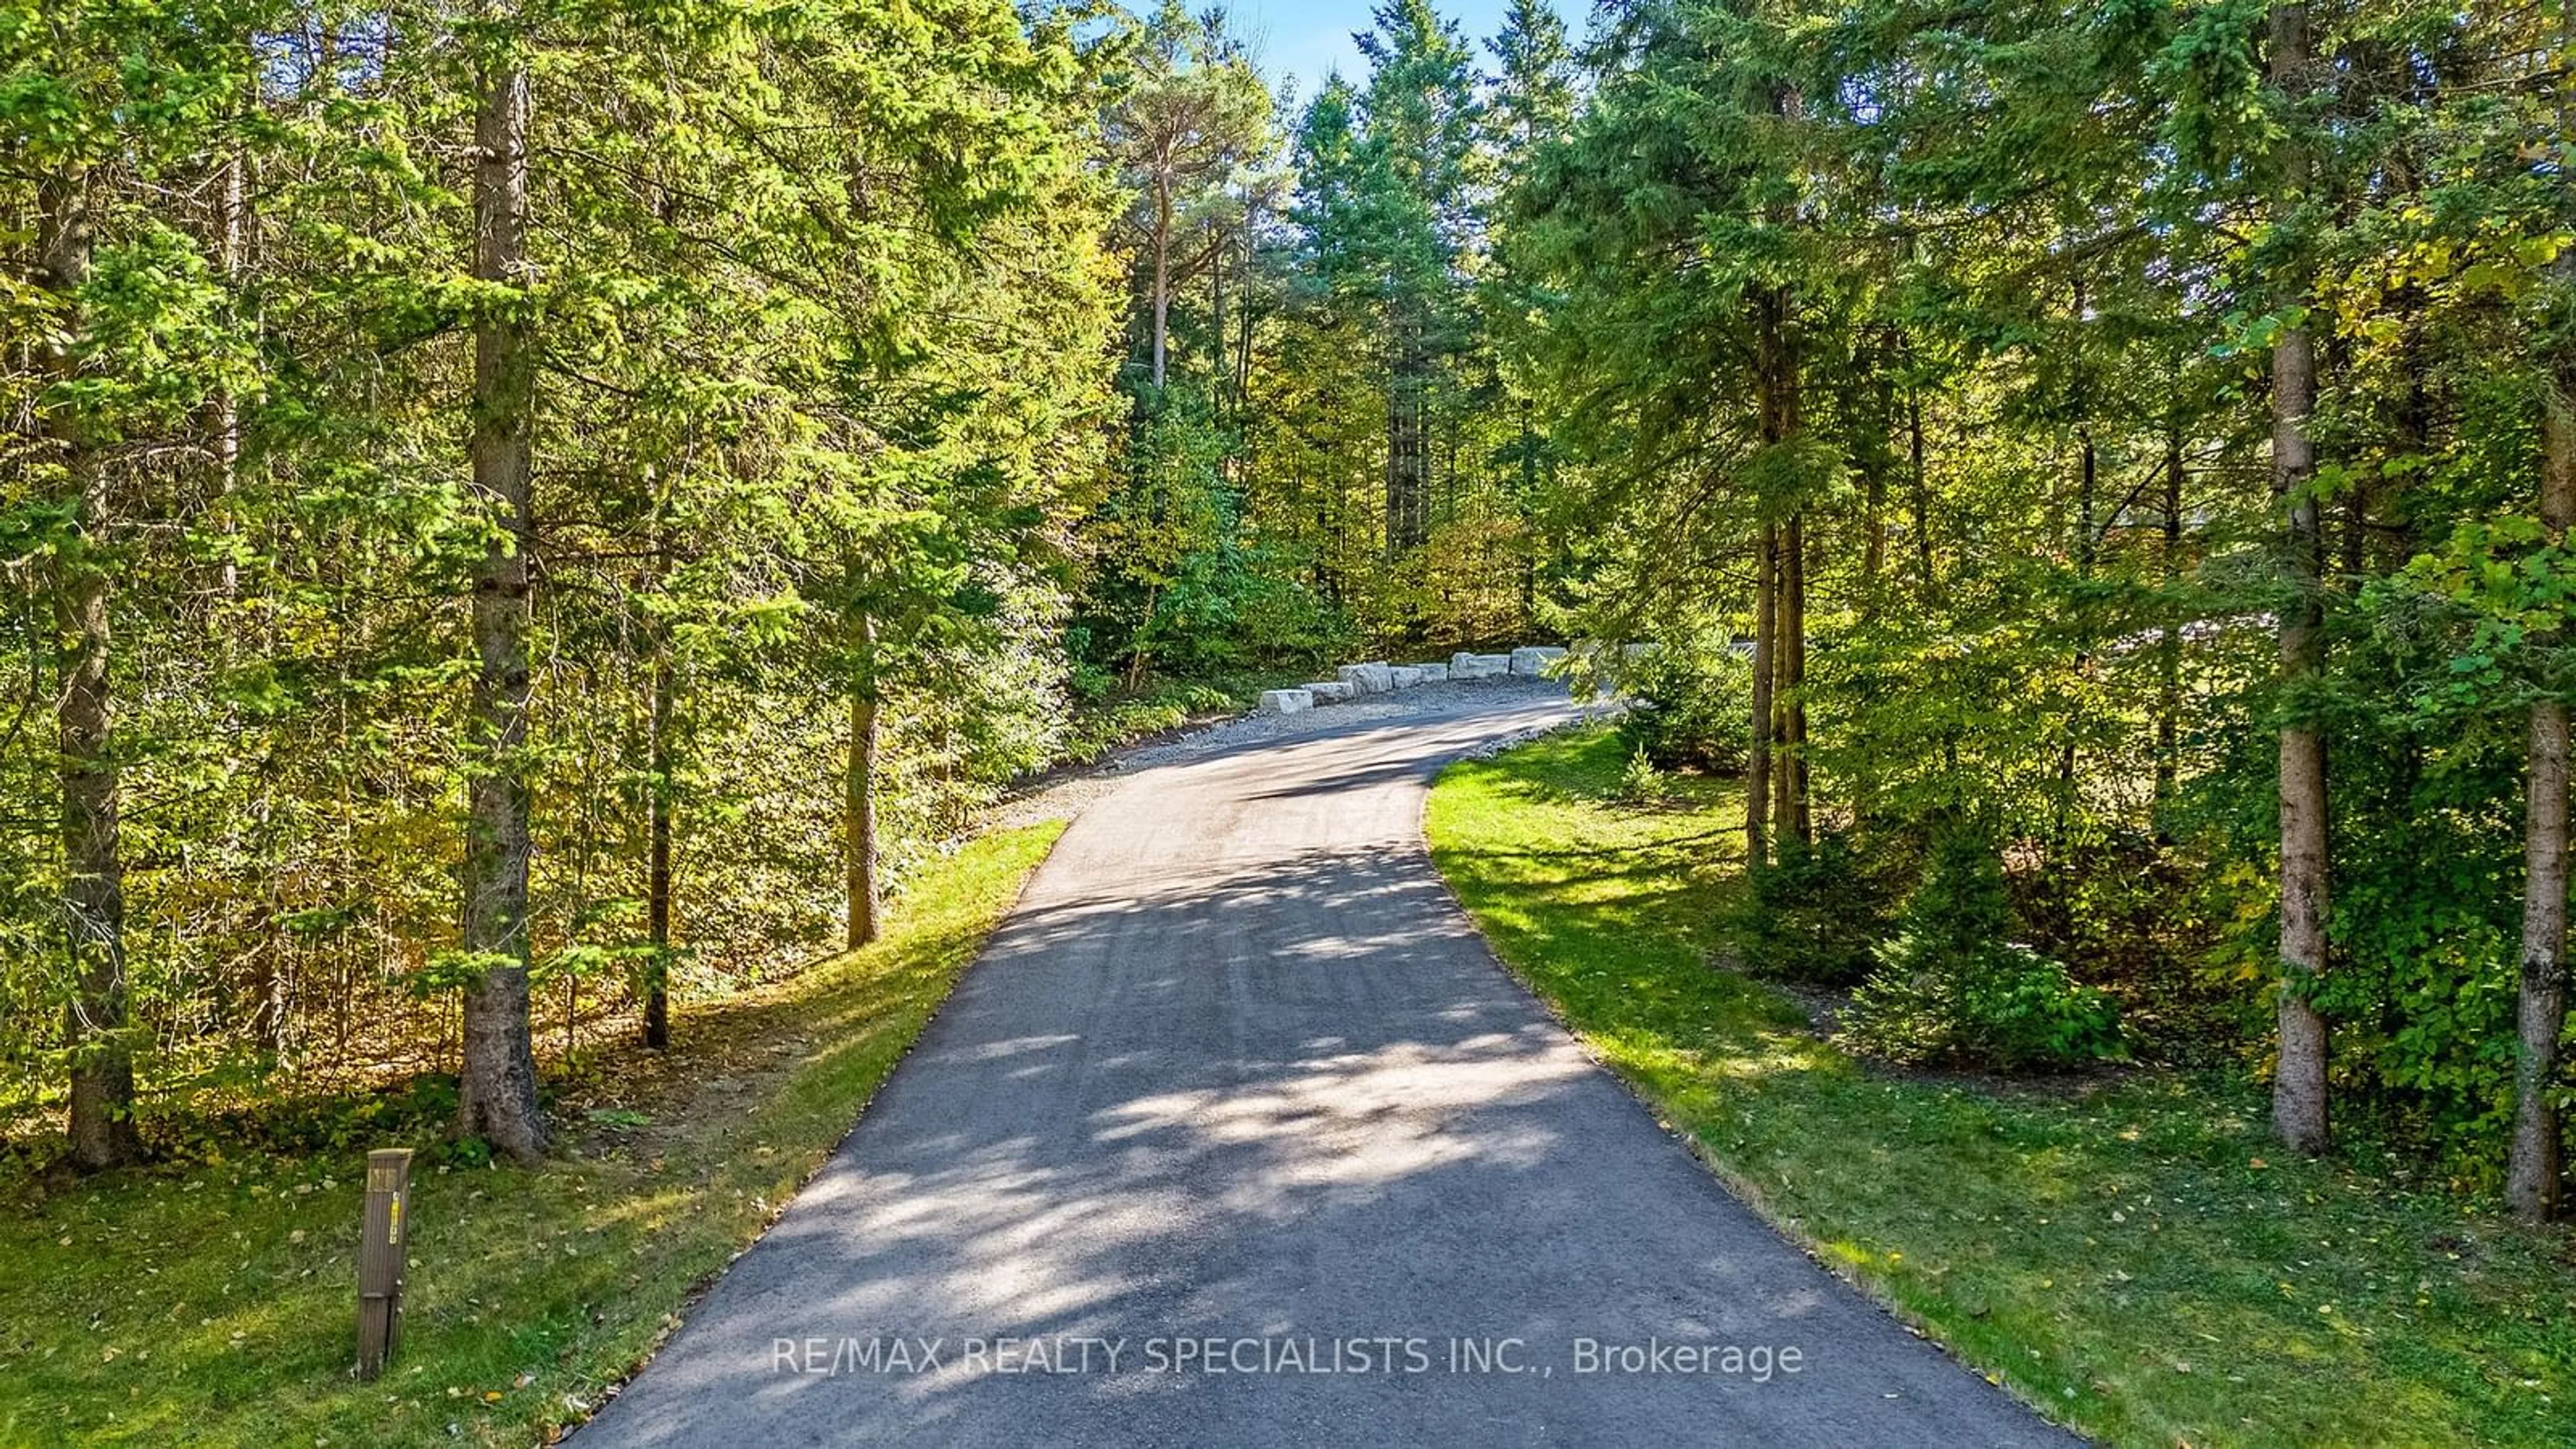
2132 1254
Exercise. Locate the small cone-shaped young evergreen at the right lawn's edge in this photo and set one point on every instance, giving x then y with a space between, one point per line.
1951 989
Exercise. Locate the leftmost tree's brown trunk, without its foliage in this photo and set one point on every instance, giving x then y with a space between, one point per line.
94 904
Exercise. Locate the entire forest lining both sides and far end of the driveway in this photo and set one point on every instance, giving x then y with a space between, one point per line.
535 509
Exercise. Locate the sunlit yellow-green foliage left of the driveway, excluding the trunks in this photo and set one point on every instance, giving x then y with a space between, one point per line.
820 298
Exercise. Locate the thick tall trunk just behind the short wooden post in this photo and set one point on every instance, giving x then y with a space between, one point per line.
498 1089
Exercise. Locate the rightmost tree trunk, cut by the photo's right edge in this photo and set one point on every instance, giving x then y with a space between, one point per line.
2533 1169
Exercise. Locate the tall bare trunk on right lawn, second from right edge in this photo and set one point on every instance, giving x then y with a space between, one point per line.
2299 1084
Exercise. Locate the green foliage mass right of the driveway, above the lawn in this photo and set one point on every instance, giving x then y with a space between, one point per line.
2034 267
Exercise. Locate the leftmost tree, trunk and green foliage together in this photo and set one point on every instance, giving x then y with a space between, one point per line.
125 342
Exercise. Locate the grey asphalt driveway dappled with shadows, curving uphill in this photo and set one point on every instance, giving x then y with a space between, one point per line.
1238 1136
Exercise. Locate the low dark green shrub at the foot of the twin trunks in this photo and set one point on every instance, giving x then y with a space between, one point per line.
1823 909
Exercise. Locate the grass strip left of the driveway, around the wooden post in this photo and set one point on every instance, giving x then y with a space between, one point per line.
215 1303
